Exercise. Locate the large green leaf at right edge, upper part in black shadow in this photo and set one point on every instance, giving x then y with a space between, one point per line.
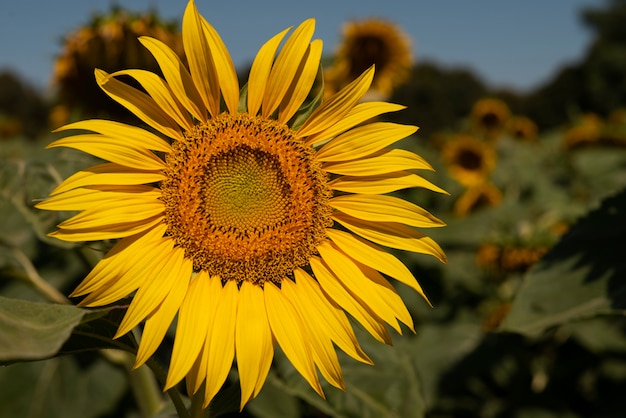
581 277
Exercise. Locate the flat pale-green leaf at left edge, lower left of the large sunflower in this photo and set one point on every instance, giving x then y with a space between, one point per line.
32 330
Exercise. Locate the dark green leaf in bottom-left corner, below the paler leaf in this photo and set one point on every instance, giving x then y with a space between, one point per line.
60 388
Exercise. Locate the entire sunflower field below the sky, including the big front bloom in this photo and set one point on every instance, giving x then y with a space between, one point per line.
518 307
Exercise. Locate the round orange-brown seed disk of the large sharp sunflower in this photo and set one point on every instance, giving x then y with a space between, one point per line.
245 198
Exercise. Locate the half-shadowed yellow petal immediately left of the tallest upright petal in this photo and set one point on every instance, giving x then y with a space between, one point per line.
177 77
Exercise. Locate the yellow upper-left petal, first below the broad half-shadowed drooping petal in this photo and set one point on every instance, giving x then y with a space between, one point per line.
133 137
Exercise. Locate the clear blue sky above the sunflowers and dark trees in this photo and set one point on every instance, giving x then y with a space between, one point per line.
517 44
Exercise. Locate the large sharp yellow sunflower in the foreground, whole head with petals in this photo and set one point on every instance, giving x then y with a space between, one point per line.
252 214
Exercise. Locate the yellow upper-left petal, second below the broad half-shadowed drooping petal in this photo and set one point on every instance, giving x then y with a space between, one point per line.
112 149
